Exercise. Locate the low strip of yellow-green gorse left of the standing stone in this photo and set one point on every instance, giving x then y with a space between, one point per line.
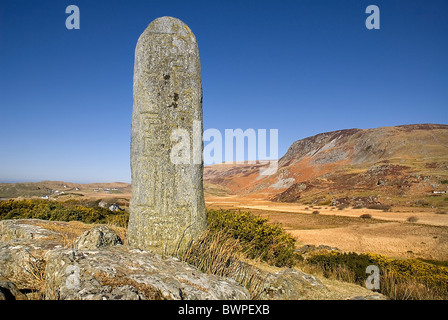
57 211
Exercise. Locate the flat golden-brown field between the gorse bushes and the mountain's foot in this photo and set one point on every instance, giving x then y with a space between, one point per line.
389 233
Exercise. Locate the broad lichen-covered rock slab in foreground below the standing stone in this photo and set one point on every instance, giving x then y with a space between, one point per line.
120 273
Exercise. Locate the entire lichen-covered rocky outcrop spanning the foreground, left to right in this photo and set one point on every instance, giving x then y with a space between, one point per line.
35 257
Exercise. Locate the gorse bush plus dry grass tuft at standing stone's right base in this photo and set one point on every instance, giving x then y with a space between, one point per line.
234 236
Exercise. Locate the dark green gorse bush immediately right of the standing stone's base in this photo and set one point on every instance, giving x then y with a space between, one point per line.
258 239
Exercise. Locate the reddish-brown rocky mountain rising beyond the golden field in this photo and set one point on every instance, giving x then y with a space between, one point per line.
405 164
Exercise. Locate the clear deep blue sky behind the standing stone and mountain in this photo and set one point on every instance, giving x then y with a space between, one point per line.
302 67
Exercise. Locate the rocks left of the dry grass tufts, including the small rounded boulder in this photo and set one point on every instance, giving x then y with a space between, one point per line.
98 267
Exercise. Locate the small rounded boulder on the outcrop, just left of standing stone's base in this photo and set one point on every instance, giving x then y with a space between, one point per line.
97 237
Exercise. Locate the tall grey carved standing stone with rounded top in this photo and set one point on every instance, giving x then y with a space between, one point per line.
167 207
